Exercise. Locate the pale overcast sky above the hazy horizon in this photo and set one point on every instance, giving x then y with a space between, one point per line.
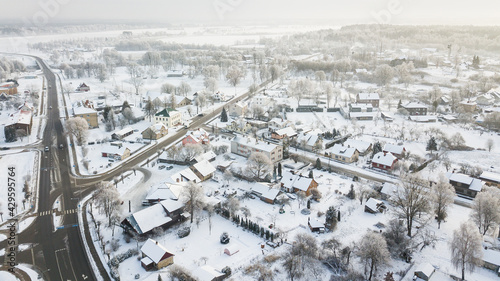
340 12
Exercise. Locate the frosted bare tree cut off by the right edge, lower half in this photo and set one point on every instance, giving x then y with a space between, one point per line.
485 209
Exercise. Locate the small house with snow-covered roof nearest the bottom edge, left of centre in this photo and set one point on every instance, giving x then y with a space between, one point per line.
155 256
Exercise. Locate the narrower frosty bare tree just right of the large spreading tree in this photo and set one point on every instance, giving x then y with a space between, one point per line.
443 194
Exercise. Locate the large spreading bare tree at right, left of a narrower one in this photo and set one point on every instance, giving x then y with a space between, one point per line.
411 200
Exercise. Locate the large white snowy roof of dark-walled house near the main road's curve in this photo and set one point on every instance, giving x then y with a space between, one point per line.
147 219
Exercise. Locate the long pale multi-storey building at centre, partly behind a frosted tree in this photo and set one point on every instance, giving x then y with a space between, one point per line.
245 146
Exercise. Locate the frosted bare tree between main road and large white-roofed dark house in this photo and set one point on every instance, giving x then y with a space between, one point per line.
107 199
